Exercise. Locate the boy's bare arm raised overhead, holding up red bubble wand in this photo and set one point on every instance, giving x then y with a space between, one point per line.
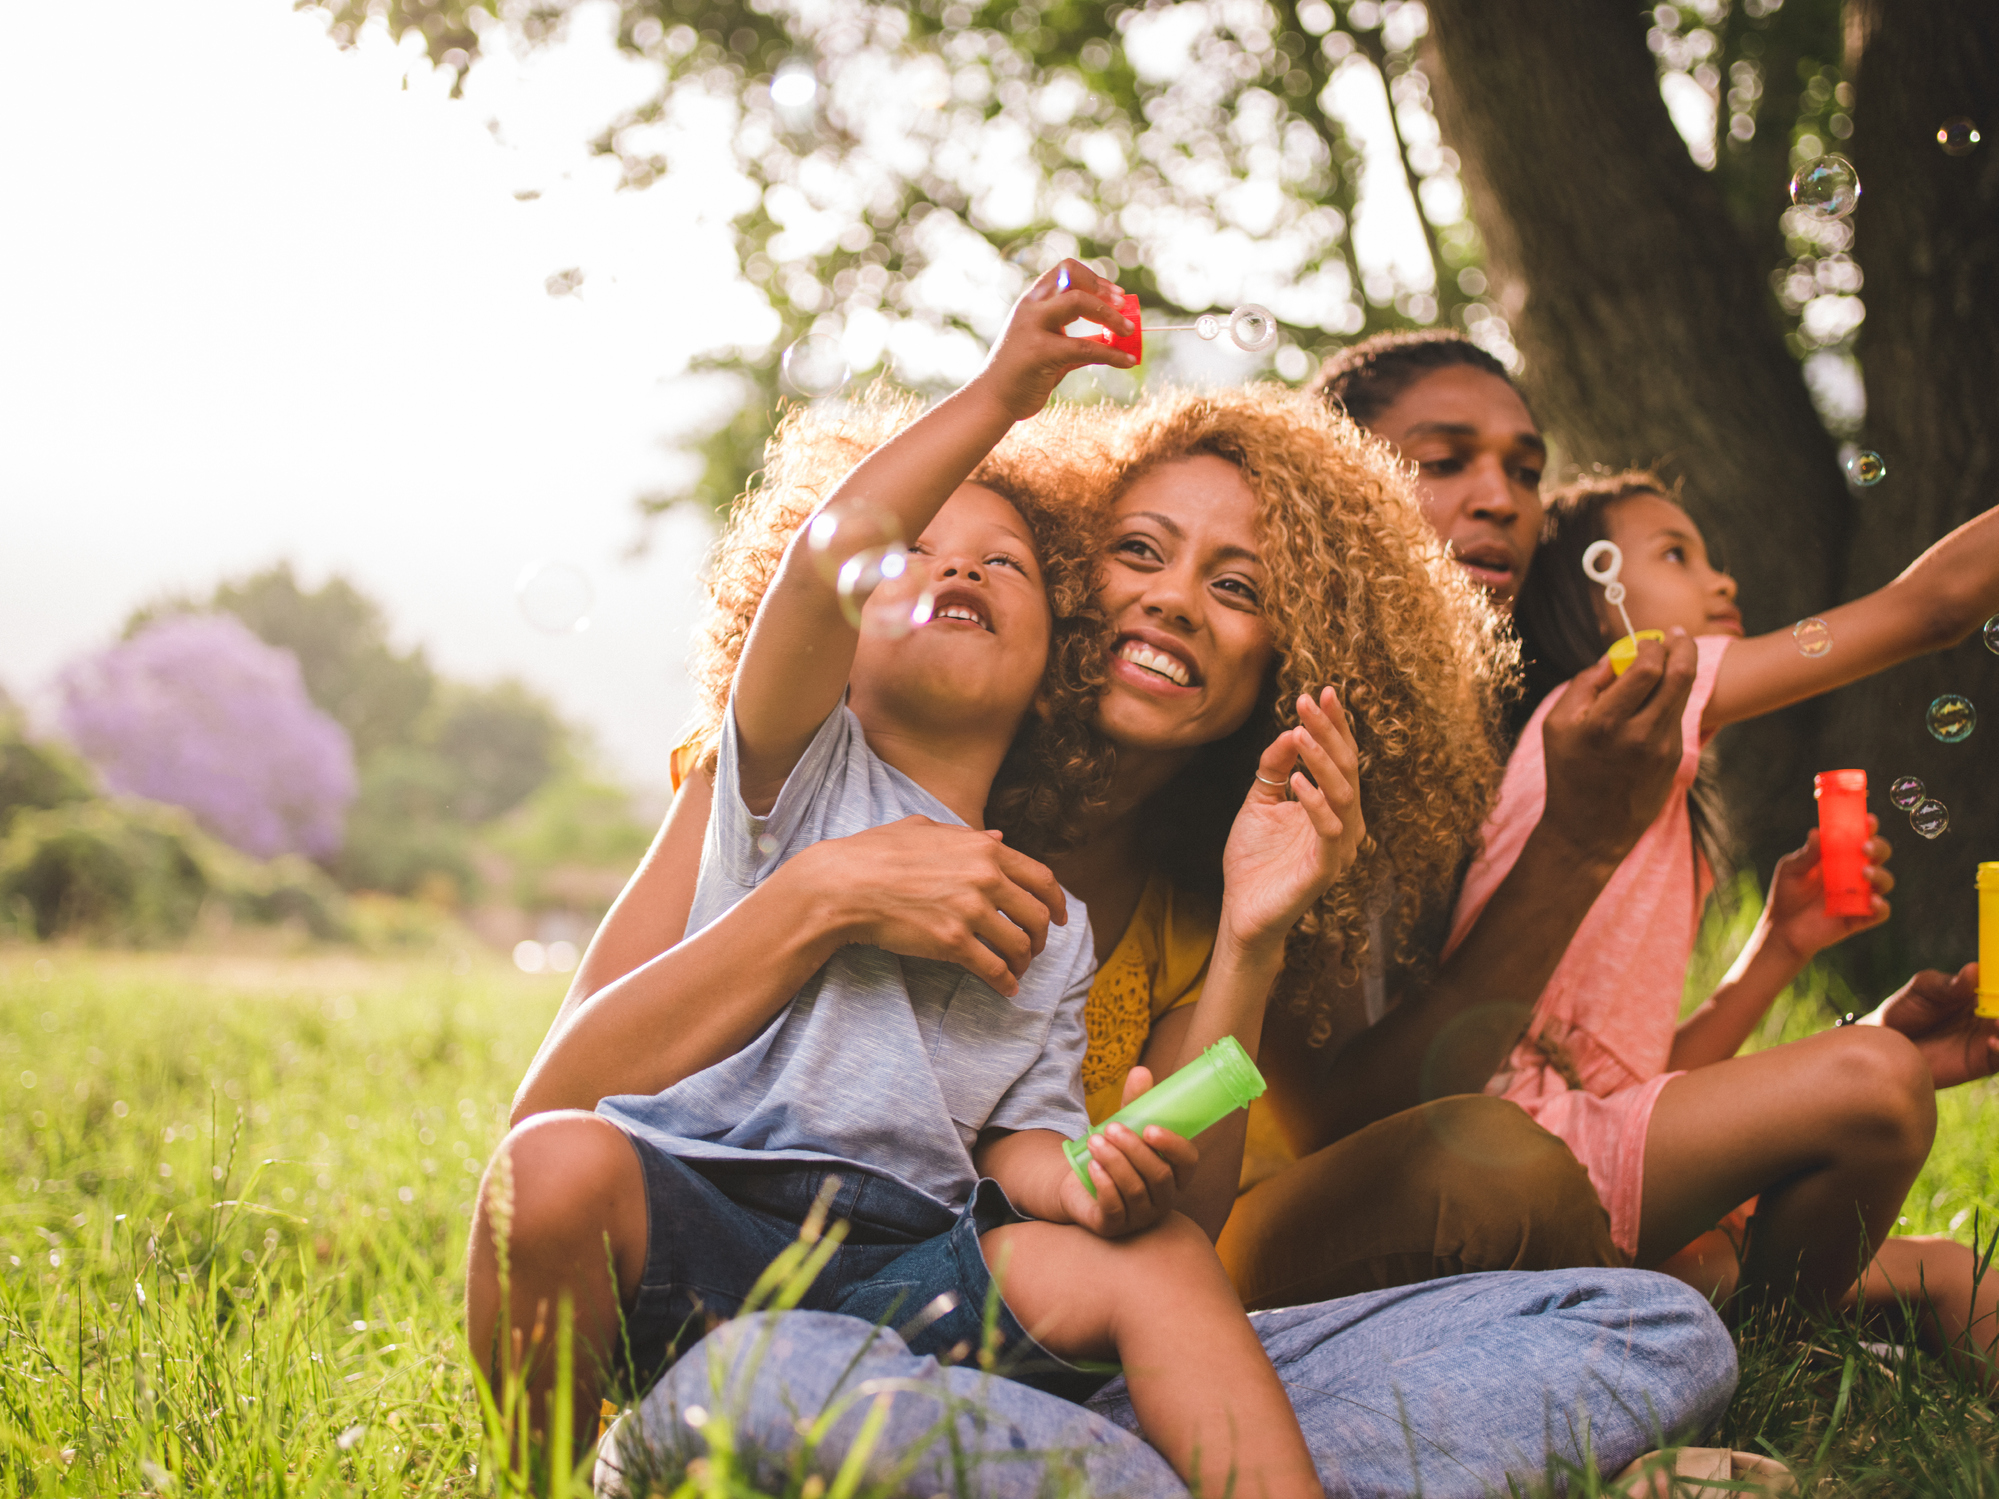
797 663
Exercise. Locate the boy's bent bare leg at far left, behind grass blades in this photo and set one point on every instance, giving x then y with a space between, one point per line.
575 1180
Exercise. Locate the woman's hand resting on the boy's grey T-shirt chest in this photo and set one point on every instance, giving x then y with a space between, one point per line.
931 890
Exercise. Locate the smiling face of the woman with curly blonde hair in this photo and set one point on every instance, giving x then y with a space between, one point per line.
1184 593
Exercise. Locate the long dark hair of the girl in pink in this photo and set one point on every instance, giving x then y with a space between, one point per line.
1562 635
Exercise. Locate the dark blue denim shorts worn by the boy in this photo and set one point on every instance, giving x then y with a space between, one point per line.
715 1226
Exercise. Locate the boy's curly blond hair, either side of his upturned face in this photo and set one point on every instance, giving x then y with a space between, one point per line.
1058 766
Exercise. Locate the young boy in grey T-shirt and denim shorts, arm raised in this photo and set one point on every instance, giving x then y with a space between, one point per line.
937 1102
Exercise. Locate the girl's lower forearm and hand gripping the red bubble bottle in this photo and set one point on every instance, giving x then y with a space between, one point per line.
1790 932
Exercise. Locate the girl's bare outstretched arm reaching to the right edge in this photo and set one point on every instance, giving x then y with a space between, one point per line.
1936 603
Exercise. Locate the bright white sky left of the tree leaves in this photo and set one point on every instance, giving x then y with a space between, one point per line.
267 303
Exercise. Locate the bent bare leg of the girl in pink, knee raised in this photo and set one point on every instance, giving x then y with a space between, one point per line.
1830 1132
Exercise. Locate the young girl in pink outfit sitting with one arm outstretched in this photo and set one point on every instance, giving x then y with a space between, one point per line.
1676 1130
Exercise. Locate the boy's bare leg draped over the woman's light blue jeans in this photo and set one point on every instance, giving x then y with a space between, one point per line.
1160 1304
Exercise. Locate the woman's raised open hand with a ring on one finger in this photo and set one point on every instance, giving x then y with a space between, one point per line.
1296 834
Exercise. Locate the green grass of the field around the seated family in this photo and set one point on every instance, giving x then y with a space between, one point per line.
233 1208
